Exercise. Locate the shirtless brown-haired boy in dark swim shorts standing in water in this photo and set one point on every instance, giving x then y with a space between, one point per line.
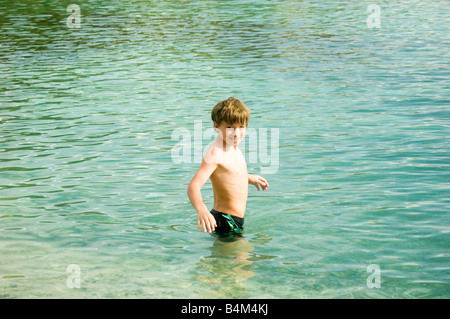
225 166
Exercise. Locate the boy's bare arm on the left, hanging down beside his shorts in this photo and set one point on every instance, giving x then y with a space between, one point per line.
206 220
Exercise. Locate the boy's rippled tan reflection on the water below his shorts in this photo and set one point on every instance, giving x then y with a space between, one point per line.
228 266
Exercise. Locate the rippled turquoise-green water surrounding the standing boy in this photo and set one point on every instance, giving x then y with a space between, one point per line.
87 177
